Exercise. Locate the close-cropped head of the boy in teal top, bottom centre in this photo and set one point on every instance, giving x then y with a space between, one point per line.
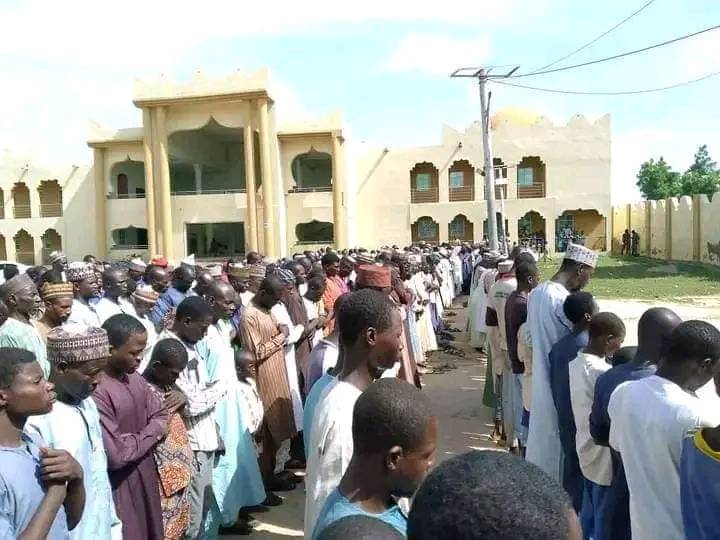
395 433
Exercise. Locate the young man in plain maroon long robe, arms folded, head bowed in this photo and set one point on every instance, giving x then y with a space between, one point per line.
134 420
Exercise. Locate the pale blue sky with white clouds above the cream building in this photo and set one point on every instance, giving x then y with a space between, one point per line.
385 64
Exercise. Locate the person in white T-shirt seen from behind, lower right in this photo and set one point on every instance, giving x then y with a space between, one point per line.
649 419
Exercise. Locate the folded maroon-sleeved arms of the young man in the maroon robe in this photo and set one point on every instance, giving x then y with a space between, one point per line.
125 448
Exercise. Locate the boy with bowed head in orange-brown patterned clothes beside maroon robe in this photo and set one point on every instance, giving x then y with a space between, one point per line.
173 456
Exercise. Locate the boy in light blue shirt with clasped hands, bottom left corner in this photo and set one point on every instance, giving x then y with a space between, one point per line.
41 489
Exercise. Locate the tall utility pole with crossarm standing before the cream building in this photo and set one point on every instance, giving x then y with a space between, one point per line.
482 75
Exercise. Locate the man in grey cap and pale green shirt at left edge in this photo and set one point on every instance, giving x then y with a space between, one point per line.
21 298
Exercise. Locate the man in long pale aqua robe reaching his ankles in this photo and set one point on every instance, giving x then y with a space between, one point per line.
238 466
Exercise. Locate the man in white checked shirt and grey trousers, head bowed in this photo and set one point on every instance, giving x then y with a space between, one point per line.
192 320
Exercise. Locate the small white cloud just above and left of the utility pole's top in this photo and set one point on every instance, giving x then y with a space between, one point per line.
437 55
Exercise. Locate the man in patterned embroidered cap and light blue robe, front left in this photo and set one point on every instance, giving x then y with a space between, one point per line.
78 355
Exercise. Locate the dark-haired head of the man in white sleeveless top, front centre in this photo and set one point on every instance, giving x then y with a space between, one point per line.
371 326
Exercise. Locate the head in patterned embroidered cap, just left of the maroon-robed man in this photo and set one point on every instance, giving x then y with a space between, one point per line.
78 355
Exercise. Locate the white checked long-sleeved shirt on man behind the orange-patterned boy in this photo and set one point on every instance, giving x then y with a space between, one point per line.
202 396
